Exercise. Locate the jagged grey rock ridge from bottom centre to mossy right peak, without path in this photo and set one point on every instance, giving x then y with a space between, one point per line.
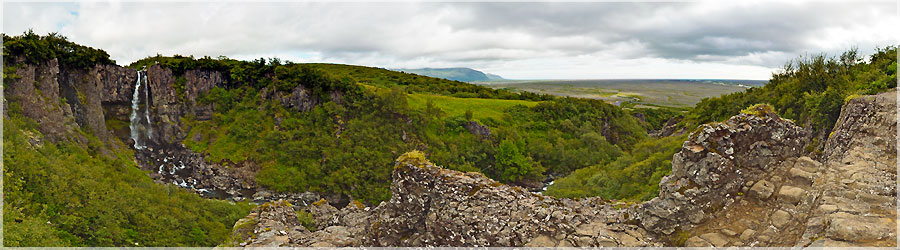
431 206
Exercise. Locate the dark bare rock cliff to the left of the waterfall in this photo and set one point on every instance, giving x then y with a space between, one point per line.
63 99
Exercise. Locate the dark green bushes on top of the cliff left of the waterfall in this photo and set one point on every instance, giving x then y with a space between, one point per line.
38 49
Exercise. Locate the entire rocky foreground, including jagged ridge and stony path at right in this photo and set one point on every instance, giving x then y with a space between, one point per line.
743 182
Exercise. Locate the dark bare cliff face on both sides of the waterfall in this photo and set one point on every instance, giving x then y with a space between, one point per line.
54 96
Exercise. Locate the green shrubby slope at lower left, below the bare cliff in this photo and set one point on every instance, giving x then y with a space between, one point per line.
71 195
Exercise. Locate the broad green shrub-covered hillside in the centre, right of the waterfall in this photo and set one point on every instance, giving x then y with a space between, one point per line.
336 128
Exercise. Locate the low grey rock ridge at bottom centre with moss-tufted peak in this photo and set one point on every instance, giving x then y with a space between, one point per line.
432 206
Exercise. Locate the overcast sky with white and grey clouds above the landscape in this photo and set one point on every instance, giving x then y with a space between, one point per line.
721 40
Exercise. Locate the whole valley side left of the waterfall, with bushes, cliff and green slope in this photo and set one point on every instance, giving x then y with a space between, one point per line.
67 181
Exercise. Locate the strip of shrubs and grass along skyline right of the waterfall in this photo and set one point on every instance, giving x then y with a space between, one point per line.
285 76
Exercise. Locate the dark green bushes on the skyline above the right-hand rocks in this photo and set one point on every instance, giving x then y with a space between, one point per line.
810 91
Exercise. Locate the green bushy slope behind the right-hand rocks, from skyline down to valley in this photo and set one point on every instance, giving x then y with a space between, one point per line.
811 91
